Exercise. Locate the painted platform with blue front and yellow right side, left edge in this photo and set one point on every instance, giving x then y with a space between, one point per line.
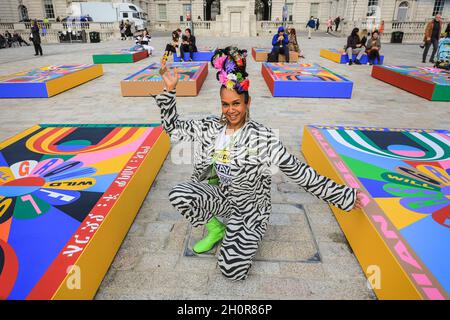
47 81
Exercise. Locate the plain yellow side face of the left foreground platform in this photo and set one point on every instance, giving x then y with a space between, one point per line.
100 251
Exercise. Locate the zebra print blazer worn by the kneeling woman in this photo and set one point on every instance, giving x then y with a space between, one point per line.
253 155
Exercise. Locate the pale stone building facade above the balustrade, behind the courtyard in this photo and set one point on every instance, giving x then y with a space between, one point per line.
174 11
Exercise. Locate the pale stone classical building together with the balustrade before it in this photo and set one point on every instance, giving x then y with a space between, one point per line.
255 17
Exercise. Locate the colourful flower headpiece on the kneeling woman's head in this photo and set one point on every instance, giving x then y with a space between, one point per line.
230 63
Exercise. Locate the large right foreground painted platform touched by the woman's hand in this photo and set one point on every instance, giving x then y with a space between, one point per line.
404 228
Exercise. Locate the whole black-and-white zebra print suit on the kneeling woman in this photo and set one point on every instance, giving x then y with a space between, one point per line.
246 201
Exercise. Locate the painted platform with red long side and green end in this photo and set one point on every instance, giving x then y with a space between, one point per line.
427 82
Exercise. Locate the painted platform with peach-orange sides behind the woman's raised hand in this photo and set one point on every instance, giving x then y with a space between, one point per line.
149 81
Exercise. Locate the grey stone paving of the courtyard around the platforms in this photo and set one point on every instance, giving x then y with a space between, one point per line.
304 254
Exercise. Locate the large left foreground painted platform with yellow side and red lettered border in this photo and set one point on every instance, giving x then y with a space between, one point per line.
68 194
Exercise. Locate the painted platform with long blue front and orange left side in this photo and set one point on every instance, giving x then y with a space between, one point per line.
305 80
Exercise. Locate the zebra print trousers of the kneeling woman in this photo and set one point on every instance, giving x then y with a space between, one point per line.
198 203
